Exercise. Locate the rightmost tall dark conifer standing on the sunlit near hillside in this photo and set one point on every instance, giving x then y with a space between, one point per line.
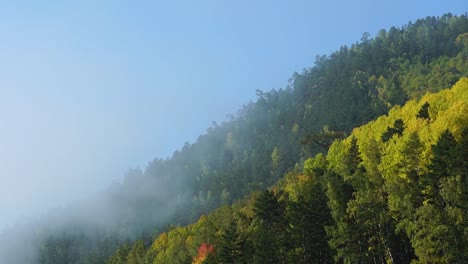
436 235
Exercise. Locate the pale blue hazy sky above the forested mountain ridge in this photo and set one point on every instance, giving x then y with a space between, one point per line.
89 89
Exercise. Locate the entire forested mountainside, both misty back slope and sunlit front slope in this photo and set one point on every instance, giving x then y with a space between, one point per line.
394 190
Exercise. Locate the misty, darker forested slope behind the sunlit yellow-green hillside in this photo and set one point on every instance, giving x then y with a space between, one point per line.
263 141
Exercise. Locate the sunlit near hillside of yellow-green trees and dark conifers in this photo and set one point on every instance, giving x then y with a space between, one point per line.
395 191
